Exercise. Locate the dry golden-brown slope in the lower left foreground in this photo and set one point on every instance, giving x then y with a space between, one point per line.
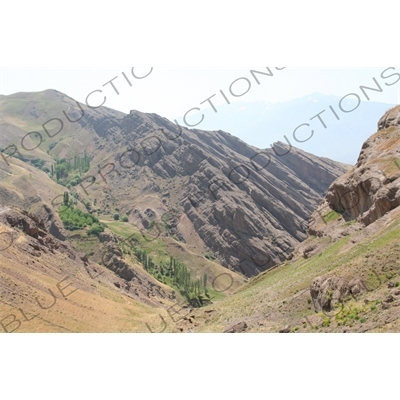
46 286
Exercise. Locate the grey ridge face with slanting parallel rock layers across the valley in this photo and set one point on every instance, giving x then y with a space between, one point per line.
248 206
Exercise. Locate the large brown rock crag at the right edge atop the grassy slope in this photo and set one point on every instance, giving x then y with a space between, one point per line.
372 187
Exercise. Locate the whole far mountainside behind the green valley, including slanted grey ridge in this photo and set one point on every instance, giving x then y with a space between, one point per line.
244 207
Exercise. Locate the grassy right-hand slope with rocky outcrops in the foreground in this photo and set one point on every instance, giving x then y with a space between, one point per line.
346 276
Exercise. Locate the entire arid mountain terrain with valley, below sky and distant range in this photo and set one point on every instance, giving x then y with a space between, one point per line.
113 222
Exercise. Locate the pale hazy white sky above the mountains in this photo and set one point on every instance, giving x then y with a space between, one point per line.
171 92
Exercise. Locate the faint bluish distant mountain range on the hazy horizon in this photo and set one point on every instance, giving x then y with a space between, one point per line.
261 124
